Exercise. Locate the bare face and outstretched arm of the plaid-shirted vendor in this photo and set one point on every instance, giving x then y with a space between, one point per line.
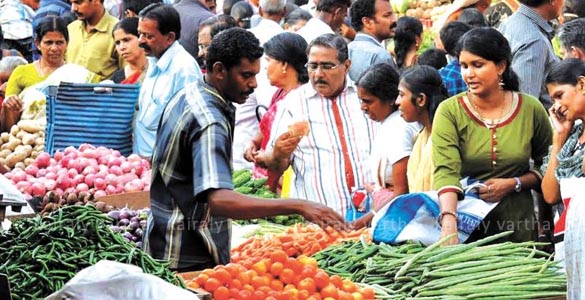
235 85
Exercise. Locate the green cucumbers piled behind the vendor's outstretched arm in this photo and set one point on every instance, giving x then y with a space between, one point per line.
245 183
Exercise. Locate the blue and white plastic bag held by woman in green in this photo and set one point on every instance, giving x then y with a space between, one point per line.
415 217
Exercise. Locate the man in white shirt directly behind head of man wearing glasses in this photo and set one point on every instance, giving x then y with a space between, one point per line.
328 18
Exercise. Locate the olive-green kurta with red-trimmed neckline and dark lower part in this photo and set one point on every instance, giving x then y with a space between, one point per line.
464 146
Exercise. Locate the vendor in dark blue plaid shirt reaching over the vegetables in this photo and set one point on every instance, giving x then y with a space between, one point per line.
192 193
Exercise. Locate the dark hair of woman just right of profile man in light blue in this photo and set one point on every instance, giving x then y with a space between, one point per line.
407 30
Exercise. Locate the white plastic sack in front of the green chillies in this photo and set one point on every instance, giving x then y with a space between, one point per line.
109 280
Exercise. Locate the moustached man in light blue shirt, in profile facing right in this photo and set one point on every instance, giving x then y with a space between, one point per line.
375 22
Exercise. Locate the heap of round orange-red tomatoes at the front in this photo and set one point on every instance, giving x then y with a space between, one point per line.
277 277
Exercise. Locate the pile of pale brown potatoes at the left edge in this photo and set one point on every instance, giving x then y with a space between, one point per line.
22 144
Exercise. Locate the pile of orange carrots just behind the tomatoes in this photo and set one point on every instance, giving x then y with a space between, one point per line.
300 239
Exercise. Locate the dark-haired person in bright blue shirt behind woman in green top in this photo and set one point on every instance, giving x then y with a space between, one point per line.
451 73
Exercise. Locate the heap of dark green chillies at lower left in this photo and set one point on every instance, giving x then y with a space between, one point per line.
41 254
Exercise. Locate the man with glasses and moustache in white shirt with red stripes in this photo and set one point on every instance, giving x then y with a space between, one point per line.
331 160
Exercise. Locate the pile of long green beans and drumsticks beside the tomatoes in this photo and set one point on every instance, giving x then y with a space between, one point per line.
471 271
